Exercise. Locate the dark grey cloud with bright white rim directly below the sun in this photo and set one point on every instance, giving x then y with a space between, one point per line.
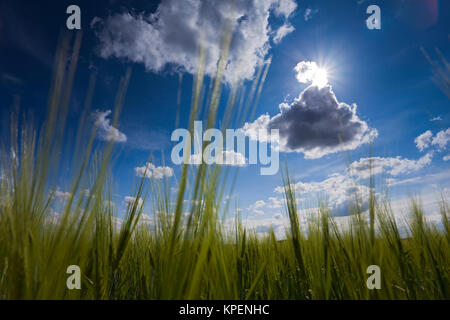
315 124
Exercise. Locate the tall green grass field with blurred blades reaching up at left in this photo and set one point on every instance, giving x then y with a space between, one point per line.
191 256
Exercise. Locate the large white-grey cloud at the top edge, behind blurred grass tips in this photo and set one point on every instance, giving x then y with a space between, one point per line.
173 34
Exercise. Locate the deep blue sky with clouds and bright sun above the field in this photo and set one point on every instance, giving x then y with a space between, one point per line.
341 95
